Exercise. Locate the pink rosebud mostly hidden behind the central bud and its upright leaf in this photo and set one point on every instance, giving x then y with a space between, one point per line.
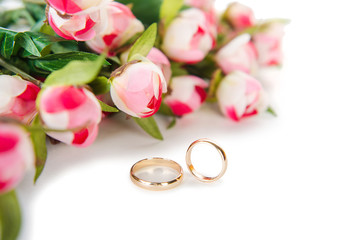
158 58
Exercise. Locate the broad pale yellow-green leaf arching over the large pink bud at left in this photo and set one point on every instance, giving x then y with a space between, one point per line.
76 73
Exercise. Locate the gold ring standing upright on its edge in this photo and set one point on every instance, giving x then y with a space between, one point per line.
190 166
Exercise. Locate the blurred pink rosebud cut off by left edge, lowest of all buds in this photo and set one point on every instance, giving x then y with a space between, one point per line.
16 155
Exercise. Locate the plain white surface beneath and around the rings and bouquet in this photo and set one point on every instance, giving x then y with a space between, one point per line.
297 176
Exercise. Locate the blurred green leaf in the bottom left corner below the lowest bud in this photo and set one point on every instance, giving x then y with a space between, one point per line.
10 216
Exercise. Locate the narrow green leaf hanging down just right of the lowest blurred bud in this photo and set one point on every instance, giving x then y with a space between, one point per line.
40 148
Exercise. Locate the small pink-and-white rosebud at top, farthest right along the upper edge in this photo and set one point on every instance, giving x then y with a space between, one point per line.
239 16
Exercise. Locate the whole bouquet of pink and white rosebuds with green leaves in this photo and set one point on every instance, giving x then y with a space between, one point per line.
79 61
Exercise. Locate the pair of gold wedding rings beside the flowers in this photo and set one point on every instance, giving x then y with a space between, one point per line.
161 162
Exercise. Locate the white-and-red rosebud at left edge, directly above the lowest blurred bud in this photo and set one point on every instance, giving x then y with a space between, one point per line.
17 98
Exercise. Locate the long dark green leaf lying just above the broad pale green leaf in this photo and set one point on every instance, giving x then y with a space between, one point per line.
53 62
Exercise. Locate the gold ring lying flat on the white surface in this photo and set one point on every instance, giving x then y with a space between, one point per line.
156 186
